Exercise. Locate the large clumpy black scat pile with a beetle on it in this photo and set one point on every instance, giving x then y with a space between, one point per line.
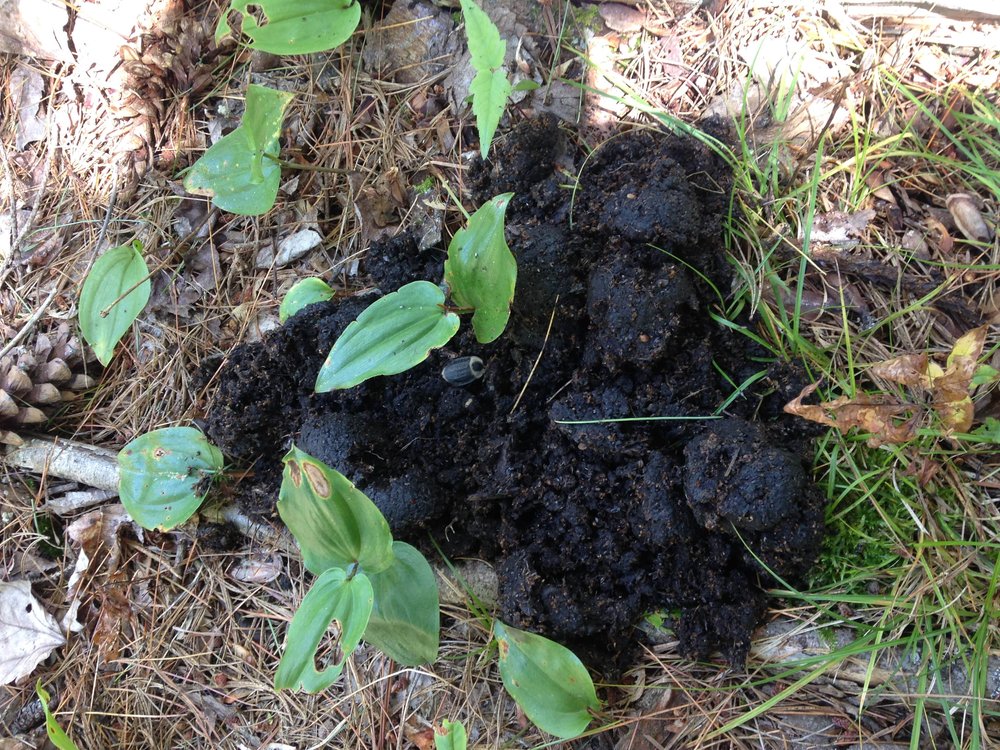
590 525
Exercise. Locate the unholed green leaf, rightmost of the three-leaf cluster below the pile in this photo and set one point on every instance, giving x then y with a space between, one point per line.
406 622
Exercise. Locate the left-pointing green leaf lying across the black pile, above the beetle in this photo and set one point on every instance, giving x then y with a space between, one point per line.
390 336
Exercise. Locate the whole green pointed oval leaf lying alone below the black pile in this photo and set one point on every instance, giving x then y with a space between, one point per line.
548 682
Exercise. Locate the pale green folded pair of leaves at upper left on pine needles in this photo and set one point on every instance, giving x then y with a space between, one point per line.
236 172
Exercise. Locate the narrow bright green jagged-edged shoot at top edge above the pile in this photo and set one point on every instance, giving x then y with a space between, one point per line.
490 88
